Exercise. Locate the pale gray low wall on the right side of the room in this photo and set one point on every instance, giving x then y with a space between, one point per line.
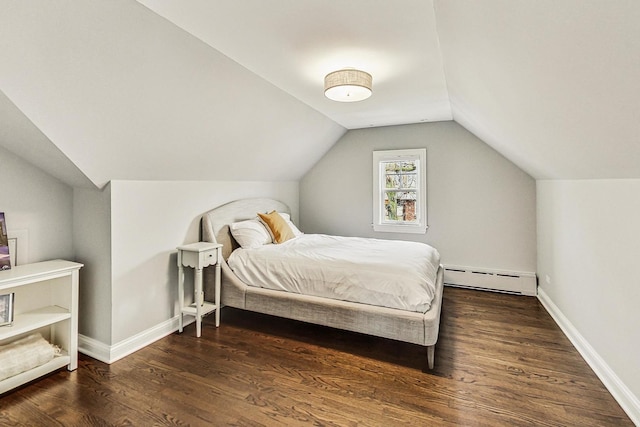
588 251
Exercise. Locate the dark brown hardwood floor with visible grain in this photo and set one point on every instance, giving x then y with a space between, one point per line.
500 360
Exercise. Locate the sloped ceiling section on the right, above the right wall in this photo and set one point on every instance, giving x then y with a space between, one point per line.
554 85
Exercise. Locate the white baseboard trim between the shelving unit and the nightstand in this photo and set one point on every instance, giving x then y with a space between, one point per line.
109 354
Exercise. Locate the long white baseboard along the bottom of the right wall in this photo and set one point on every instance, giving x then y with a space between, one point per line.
620 392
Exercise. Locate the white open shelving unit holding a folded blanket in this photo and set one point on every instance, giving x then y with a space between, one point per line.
46 301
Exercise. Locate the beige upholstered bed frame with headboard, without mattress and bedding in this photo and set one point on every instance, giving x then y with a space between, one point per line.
407 325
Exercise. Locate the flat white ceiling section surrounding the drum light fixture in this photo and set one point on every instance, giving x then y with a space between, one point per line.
294 44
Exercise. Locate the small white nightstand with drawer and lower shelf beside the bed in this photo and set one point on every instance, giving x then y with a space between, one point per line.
198 256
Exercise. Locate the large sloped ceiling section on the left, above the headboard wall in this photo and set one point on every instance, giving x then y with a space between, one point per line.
126 95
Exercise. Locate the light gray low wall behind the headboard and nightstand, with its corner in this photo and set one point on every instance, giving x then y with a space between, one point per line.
128 235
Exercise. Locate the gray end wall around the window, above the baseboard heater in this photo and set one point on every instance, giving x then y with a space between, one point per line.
481 207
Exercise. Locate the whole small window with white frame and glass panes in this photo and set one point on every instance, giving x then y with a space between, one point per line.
400 191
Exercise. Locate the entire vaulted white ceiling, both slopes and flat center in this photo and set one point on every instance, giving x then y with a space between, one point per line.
93 91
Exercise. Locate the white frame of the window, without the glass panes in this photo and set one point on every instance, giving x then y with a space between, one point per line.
379 186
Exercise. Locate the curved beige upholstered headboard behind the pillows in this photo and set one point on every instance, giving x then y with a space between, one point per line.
215 223
